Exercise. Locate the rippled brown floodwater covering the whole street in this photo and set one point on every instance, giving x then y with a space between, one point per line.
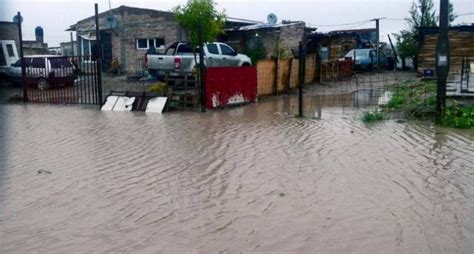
245 180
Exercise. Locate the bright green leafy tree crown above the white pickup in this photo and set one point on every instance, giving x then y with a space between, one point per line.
200 14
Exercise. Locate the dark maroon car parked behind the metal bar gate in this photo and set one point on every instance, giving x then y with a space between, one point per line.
43 71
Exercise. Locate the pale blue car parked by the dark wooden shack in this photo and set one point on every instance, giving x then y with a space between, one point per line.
365 59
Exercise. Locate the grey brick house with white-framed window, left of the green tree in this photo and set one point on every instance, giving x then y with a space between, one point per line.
129 34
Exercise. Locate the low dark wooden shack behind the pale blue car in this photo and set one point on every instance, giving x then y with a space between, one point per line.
335 44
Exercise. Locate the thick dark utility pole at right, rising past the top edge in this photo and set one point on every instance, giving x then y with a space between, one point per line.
442 58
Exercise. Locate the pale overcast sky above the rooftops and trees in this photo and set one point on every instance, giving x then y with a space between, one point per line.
55 16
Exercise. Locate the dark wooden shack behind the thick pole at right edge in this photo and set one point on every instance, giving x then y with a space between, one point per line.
461 44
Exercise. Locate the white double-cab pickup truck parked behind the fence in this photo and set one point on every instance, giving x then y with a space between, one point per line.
178 59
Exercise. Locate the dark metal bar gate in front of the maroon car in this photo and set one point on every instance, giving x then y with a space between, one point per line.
61 79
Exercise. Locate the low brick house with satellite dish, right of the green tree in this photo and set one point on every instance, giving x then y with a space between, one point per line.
276 40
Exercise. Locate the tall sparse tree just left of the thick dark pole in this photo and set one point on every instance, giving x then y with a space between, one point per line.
422 14
